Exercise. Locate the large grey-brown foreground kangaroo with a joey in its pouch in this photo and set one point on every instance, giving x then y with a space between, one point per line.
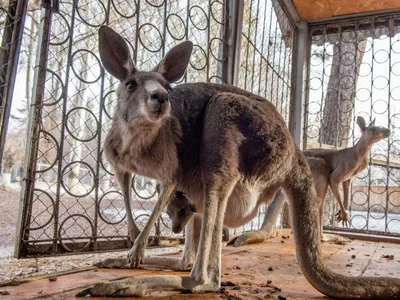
224 148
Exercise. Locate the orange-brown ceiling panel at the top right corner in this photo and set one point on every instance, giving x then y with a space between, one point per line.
321 9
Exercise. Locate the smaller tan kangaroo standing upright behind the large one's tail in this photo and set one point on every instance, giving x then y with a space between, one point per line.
329 169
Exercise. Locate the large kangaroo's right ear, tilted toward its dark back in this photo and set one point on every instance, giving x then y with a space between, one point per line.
174 64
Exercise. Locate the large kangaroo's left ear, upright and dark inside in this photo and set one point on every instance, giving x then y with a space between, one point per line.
114 53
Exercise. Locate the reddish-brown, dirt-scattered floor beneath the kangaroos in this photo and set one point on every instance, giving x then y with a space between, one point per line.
261 271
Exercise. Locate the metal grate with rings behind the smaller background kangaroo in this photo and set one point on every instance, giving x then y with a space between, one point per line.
354 70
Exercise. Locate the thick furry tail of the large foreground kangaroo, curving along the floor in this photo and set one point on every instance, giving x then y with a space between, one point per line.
304 211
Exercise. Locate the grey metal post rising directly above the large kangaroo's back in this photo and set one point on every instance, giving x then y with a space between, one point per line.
232 40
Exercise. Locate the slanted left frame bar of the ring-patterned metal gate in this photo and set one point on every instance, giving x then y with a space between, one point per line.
33 133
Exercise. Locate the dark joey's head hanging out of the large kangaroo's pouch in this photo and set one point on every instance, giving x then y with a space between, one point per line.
180 210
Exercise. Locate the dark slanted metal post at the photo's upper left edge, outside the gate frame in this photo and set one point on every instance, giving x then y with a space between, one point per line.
9 57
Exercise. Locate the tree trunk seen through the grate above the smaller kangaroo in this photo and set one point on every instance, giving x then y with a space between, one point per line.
339 99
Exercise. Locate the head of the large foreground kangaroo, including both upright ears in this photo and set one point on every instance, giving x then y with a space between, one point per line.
141 95
